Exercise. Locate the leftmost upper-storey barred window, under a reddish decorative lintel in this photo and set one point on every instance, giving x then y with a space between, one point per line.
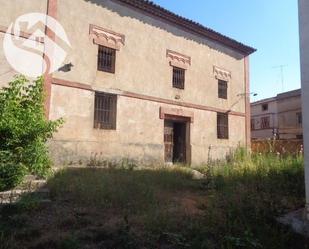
106 59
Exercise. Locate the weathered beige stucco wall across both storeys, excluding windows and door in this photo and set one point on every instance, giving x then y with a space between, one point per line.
141 67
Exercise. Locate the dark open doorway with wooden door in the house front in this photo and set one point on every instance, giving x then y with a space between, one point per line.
176 137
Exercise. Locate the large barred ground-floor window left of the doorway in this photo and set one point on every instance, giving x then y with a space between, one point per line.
105 111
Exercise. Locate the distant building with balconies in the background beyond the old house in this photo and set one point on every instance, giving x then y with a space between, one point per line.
279 117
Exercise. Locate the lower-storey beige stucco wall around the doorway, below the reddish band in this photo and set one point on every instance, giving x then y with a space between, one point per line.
139 133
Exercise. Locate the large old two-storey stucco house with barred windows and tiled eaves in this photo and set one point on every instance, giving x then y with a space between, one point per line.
145 84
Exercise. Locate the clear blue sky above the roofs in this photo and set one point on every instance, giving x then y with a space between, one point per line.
271 26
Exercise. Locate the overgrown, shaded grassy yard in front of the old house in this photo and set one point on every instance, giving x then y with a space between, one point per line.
234 207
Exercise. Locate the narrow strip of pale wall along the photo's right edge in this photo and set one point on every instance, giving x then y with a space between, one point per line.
304 61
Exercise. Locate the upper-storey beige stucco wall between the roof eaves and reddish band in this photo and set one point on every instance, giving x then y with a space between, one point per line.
141 64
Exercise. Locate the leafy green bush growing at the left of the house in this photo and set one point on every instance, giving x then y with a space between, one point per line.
24 131
